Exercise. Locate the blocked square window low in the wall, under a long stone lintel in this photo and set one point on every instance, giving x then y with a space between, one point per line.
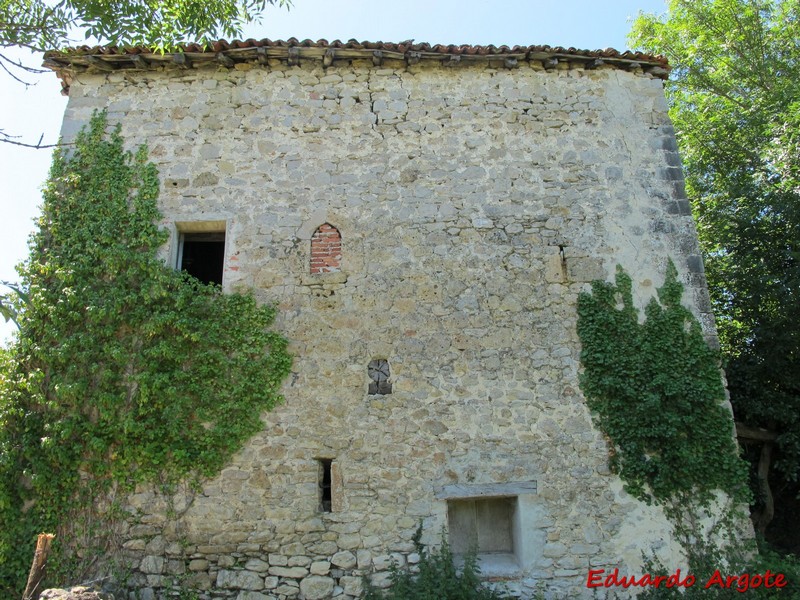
485 524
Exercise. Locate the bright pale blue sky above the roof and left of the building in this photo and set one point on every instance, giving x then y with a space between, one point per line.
37 110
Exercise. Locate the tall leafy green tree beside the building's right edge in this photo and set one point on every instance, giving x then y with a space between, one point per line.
734 96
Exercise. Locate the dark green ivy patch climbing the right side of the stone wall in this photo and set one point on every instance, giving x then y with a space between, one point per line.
656 391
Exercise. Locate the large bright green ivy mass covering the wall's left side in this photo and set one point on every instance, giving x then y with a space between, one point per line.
123 371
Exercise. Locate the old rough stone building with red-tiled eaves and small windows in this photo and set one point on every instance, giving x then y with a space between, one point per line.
425 217
